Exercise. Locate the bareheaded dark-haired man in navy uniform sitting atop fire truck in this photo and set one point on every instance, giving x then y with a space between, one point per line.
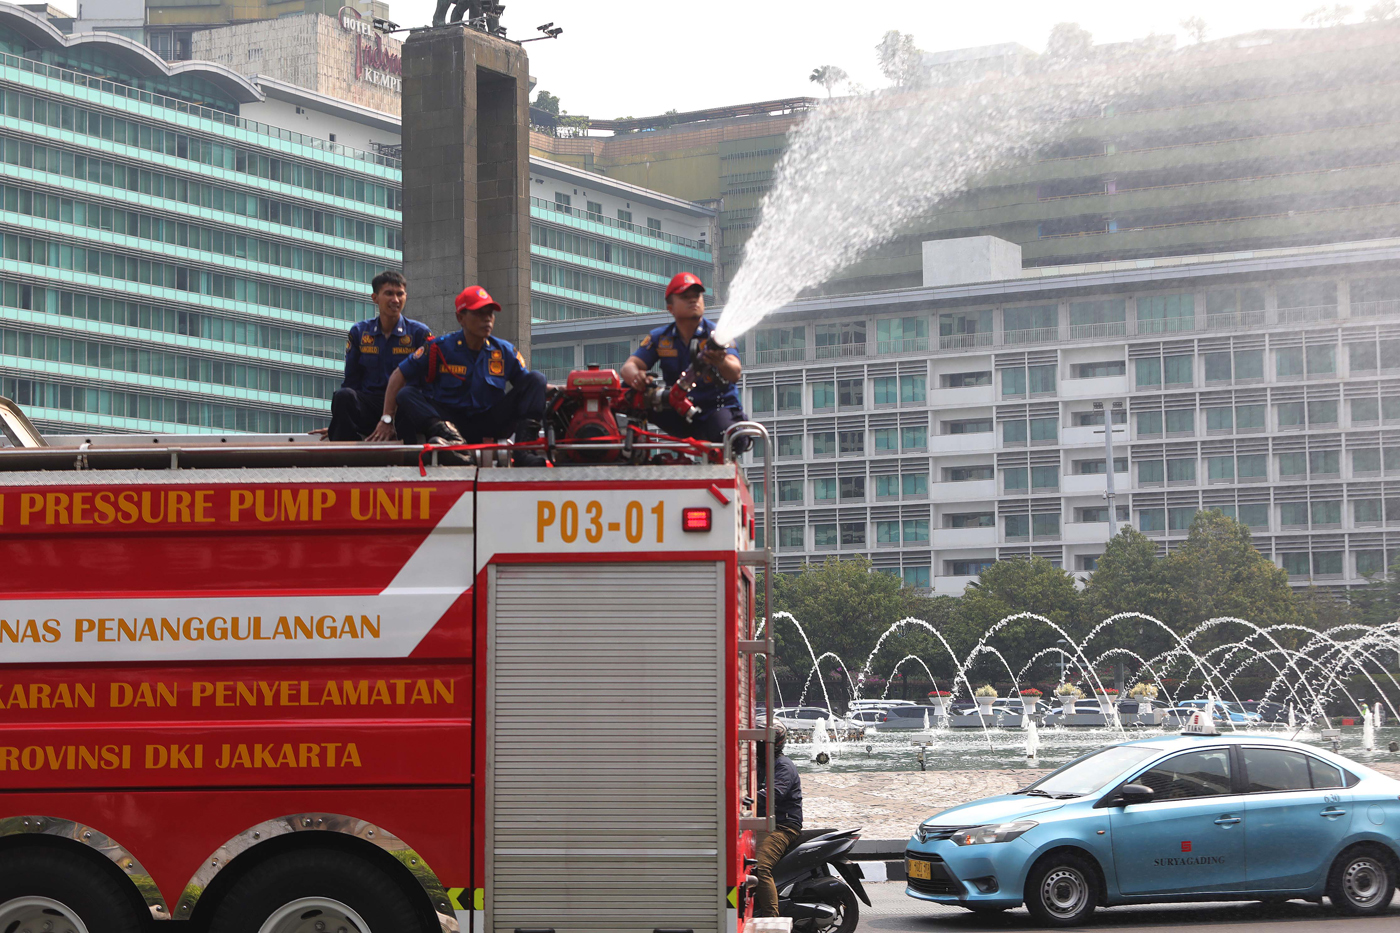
374 351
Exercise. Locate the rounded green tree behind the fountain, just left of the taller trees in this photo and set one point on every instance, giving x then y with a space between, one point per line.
1009 588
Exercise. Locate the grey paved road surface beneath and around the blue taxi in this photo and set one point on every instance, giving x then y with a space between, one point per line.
895 911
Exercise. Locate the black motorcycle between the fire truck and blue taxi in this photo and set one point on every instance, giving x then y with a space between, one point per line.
808 893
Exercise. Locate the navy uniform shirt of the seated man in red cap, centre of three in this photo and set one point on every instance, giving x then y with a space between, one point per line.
464 379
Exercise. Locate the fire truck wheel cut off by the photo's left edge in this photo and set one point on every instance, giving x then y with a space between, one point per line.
40 886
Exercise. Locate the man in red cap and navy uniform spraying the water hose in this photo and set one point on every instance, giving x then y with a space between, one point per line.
675 347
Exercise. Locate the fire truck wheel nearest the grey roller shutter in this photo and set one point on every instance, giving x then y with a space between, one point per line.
313 892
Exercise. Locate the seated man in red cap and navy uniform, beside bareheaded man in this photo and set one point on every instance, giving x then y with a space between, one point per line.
465 387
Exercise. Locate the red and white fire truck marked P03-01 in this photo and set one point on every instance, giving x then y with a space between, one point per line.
267 686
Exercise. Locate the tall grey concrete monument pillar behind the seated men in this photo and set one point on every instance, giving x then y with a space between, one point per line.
467 176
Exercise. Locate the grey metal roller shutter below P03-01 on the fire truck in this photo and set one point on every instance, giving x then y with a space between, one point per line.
605 749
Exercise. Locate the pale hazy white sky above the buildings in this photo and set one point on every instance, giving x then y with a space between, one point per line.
639 58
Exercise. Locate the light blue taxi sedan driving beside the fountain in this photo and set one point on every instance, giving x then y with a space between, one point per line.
1189 817
